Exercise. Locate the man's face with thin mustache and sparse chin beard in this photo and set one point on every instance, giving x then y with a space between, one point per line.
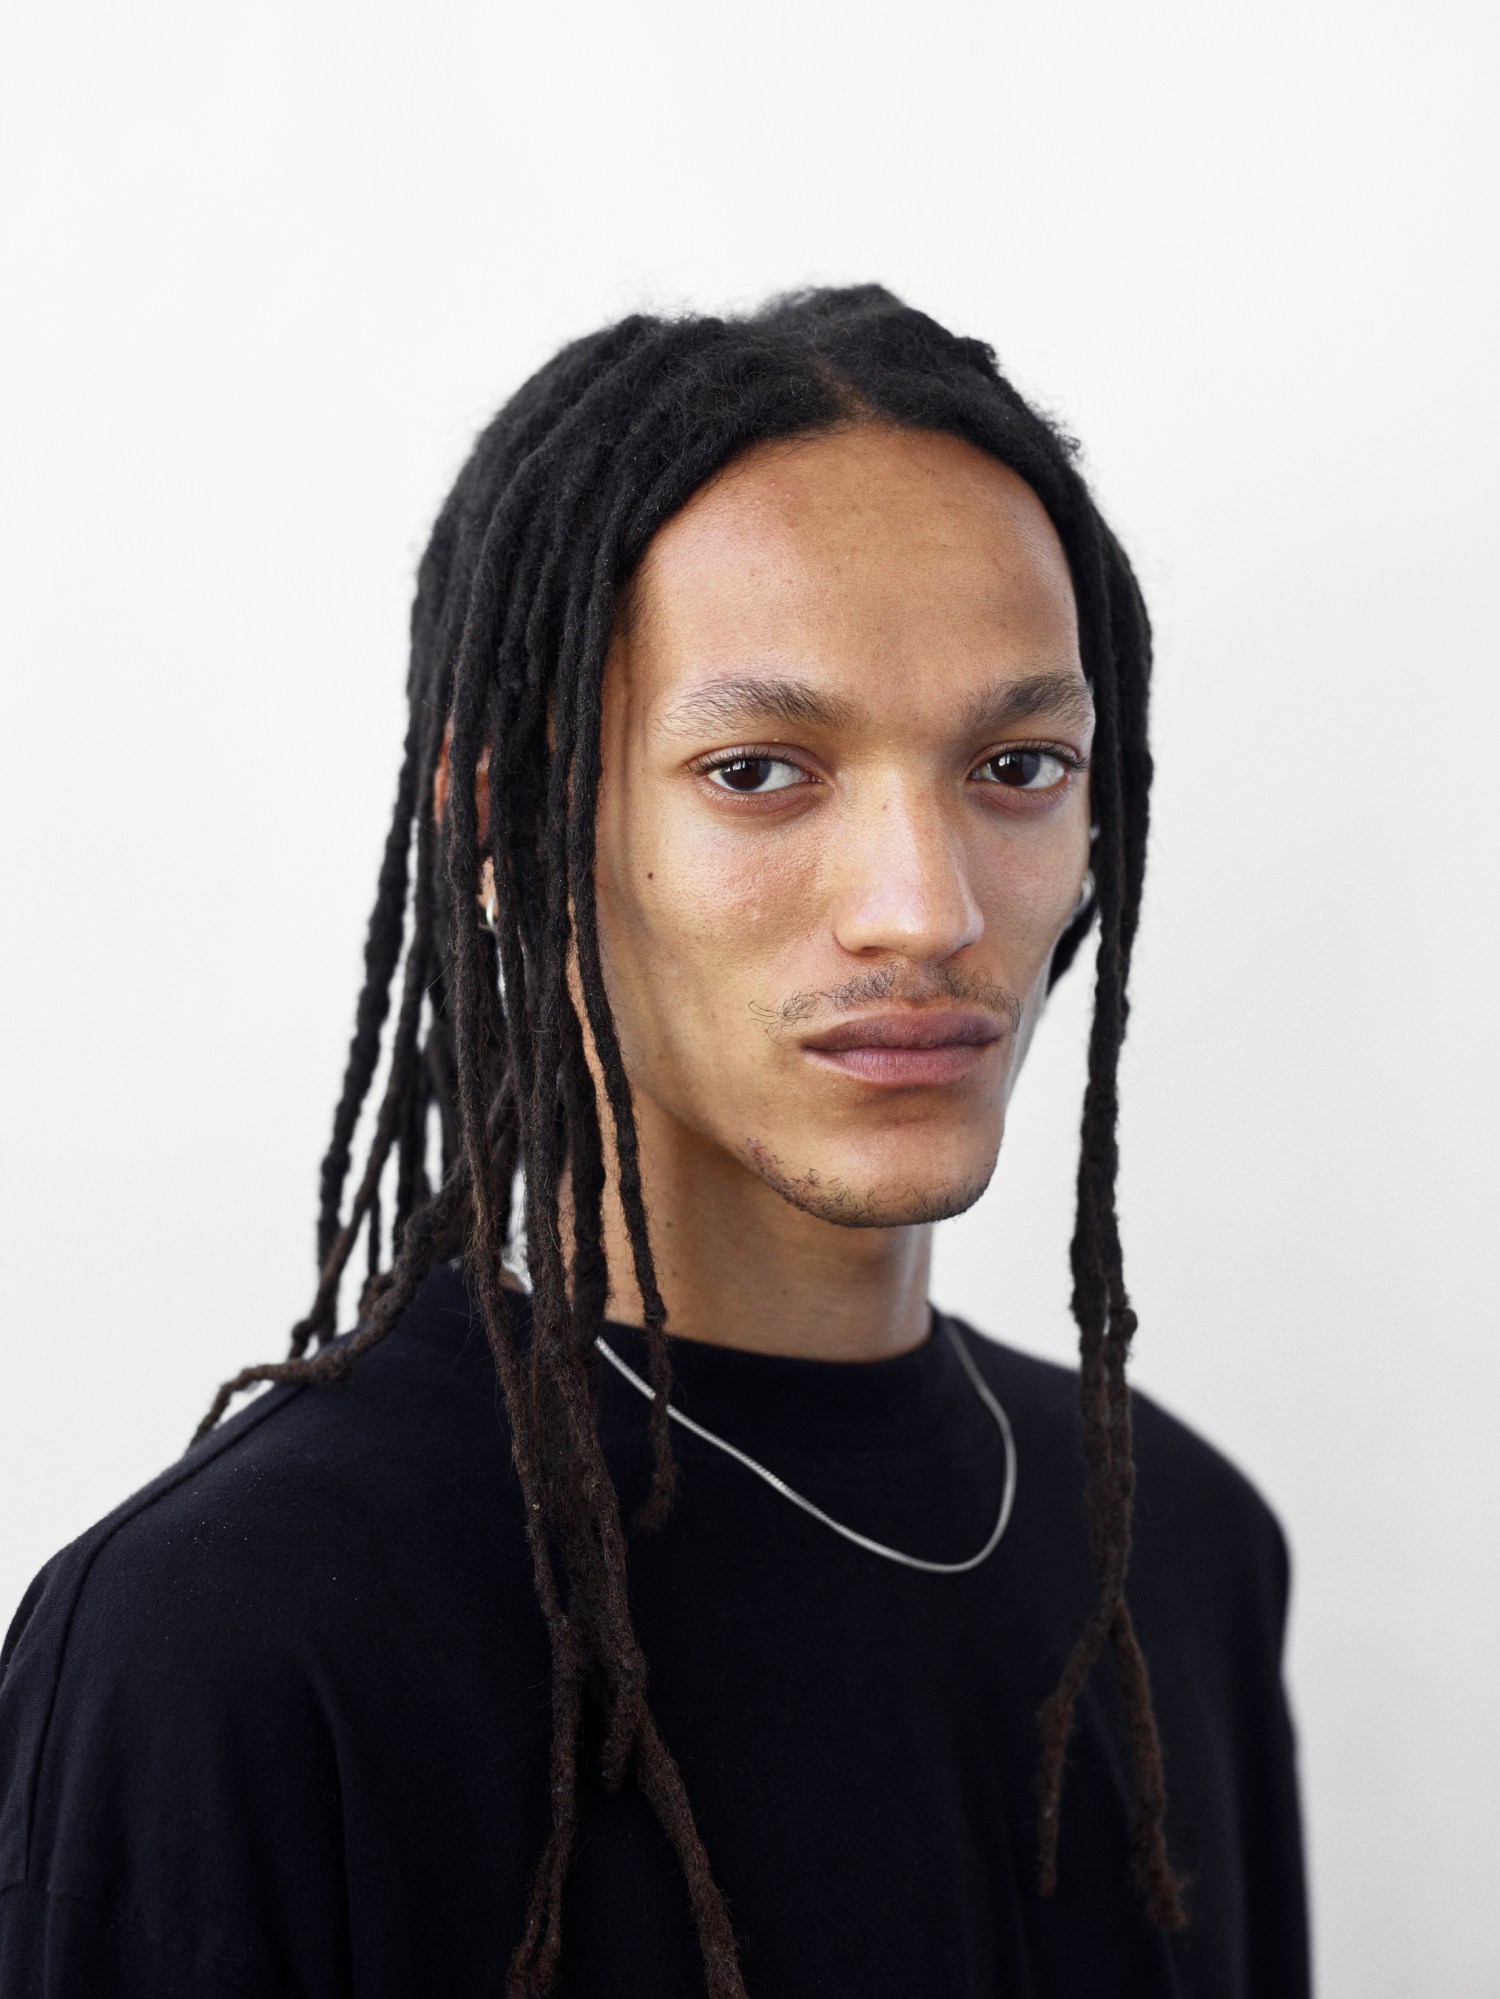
843 813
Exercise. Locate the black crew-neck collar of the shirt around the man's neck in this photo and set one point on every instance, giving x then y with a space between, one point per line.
793 1398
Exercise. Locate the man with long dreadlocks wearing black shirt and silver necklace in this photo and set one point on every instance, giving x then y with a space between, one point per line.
779 729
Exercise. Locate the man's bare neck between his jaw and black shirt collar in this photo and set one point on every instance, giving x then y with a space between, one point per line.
741 1268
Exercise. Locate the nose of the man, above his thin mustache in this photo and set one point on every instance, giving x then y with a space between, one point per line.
901 881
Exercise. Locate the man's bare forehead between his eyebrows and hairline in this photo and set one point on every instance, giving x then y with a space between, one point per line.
873 559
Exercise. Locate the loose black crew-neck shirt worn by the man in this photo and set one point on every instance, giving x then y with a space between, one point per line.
279 1726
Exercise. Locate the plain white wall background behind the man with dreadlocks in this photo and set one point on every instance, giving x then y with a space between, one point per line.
273 265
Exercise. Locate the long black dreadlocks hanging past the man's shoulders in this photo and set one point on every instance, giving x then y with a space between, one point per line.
517 599
